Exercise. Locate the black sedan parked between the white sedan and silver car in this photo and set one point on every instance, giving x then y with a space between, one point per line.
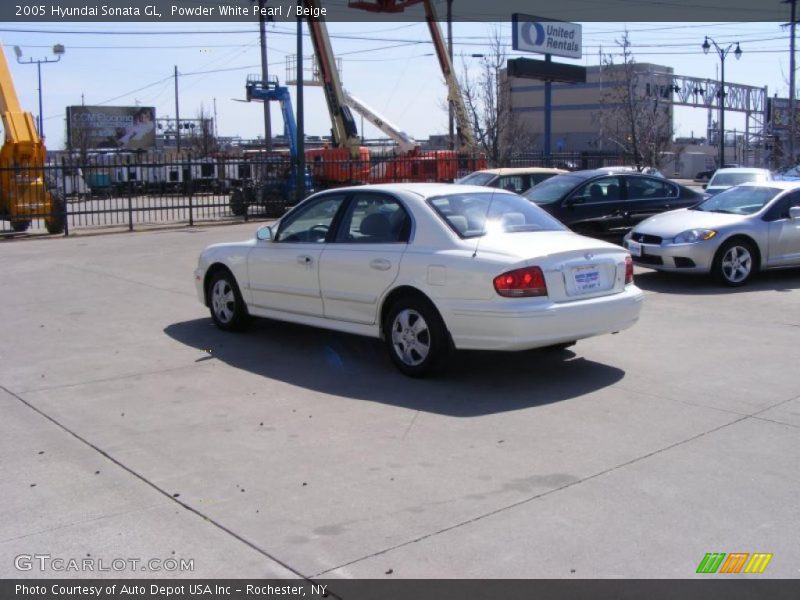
606 201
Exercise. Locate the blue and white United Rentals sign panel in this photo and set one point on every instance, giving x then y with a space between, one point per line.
559 38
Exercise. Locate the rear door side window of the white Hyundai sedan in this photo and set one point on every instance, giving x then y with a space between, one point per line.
374 219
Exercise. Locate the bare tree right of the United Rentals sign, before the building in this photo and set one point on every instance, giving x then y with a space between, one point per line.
636 113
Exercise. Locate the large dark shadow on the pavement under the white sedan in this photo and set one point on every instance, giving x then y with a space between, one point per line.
475 383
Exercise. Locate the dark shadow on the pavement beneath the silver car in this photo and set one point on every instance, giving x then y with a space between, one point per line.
677 283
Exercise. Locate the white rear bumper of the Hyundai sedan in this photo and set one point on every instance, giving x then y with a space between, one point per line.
537 324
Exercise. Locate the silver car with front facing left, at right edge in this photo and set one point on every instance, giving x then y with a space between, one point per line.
731 235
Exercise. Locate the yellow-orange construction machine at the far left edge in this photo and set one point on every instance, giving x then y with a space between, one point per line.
23 194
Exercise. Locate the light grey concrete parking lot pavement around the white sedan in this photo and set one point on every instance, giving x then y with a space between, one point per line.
132 428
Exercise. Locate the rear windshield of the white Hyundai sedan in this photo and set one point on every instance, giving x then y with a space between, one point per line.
475 215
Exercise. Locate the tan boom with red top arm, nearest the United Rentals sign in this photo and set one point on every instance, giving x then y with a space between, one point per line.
464 130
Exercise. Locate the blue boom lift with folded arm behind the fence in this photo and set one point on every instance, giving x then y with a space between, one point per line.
275 189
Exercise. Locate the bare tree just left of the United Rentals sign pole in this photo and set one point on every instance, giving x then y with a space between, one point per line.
498 130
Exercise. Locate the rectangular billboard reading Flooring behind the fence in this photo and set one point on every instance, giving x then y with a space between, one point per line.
111 127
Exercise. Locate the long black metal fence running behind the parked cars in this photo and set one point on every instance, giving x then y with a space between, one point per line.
140 191
